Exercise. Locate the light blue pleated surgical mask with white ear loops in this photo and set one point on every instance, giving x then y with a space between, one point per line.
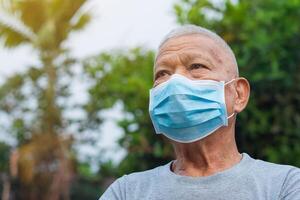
188 110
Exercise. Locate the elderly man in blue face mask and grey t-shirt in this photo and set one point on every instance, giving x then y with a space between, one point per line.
196 95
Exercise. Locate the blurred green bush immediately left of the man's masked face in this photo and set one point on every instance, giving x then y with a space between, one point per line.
125 77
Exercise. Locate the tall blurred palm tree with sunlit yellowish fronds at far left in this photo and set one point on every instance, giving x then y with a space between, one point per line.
32 100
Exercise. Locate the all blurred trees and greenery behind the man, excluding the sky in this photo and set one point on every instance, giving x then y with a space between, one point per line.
43 163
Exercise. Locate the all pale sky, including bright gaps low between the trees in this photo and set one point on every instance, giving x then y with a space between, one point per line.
116 24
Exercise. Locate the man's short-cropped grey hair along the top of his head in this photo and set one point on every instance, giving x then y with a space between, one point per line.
193 29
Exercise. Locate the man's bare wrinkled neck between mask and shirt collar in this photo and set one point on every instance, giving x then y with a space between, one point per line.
208 156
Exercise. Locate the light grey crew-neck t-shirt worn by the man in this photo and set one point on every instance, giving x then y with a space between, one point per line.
249 179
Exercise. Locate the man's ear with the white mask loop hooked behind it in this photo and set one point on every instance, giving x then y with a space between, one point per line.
242 94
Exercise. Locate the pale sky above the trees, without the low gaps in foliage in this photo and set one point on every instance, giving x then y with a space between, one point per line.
116 24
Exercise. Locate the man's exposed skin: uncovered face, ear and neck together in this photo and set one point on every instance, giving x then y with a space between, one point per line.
199 57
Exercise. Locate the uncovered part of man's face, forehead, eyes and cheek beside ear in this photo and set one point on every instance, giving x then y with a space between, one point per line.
196 57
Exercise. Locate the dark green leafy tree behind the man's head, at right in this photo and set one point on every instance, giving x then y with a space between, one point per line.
265 38
